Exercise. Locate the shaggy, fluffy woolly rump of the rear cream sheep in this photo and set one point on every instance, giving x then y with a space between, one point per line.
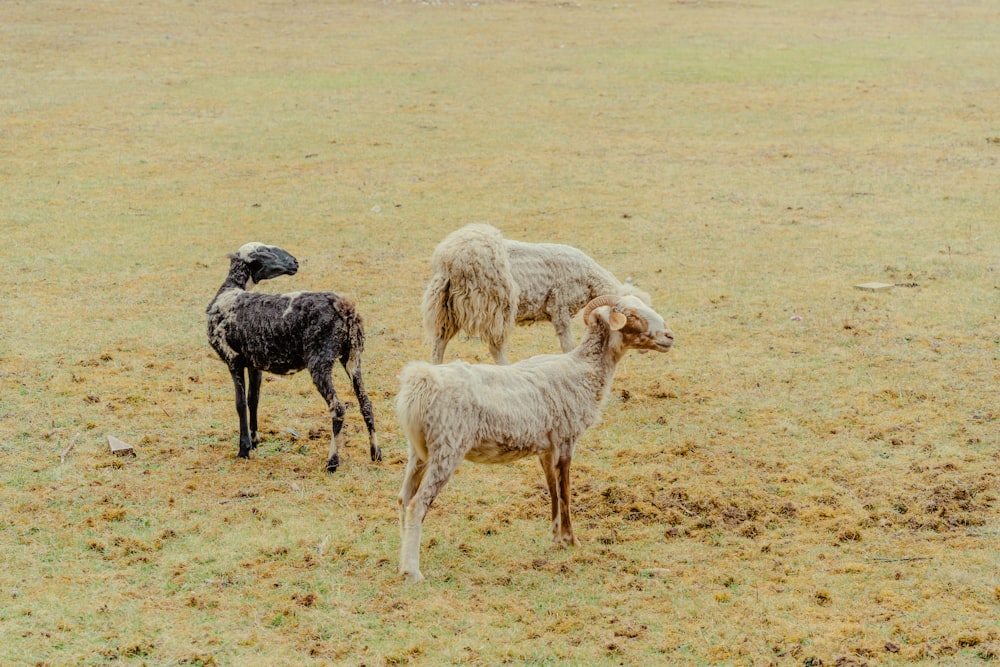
472 288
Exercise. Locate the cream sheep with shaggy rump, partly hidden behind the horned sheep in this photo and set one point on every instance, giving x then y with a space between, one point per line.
483 284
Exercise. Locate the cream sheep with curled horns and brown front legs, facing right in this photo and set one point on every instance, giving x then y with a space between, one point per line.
496 414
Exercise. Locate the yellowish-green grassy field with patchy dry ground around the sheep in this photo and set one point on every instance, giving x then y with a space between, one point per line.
810 477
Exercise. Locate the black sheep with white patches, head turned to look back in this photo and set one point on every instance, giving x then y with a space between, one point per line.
283 334
